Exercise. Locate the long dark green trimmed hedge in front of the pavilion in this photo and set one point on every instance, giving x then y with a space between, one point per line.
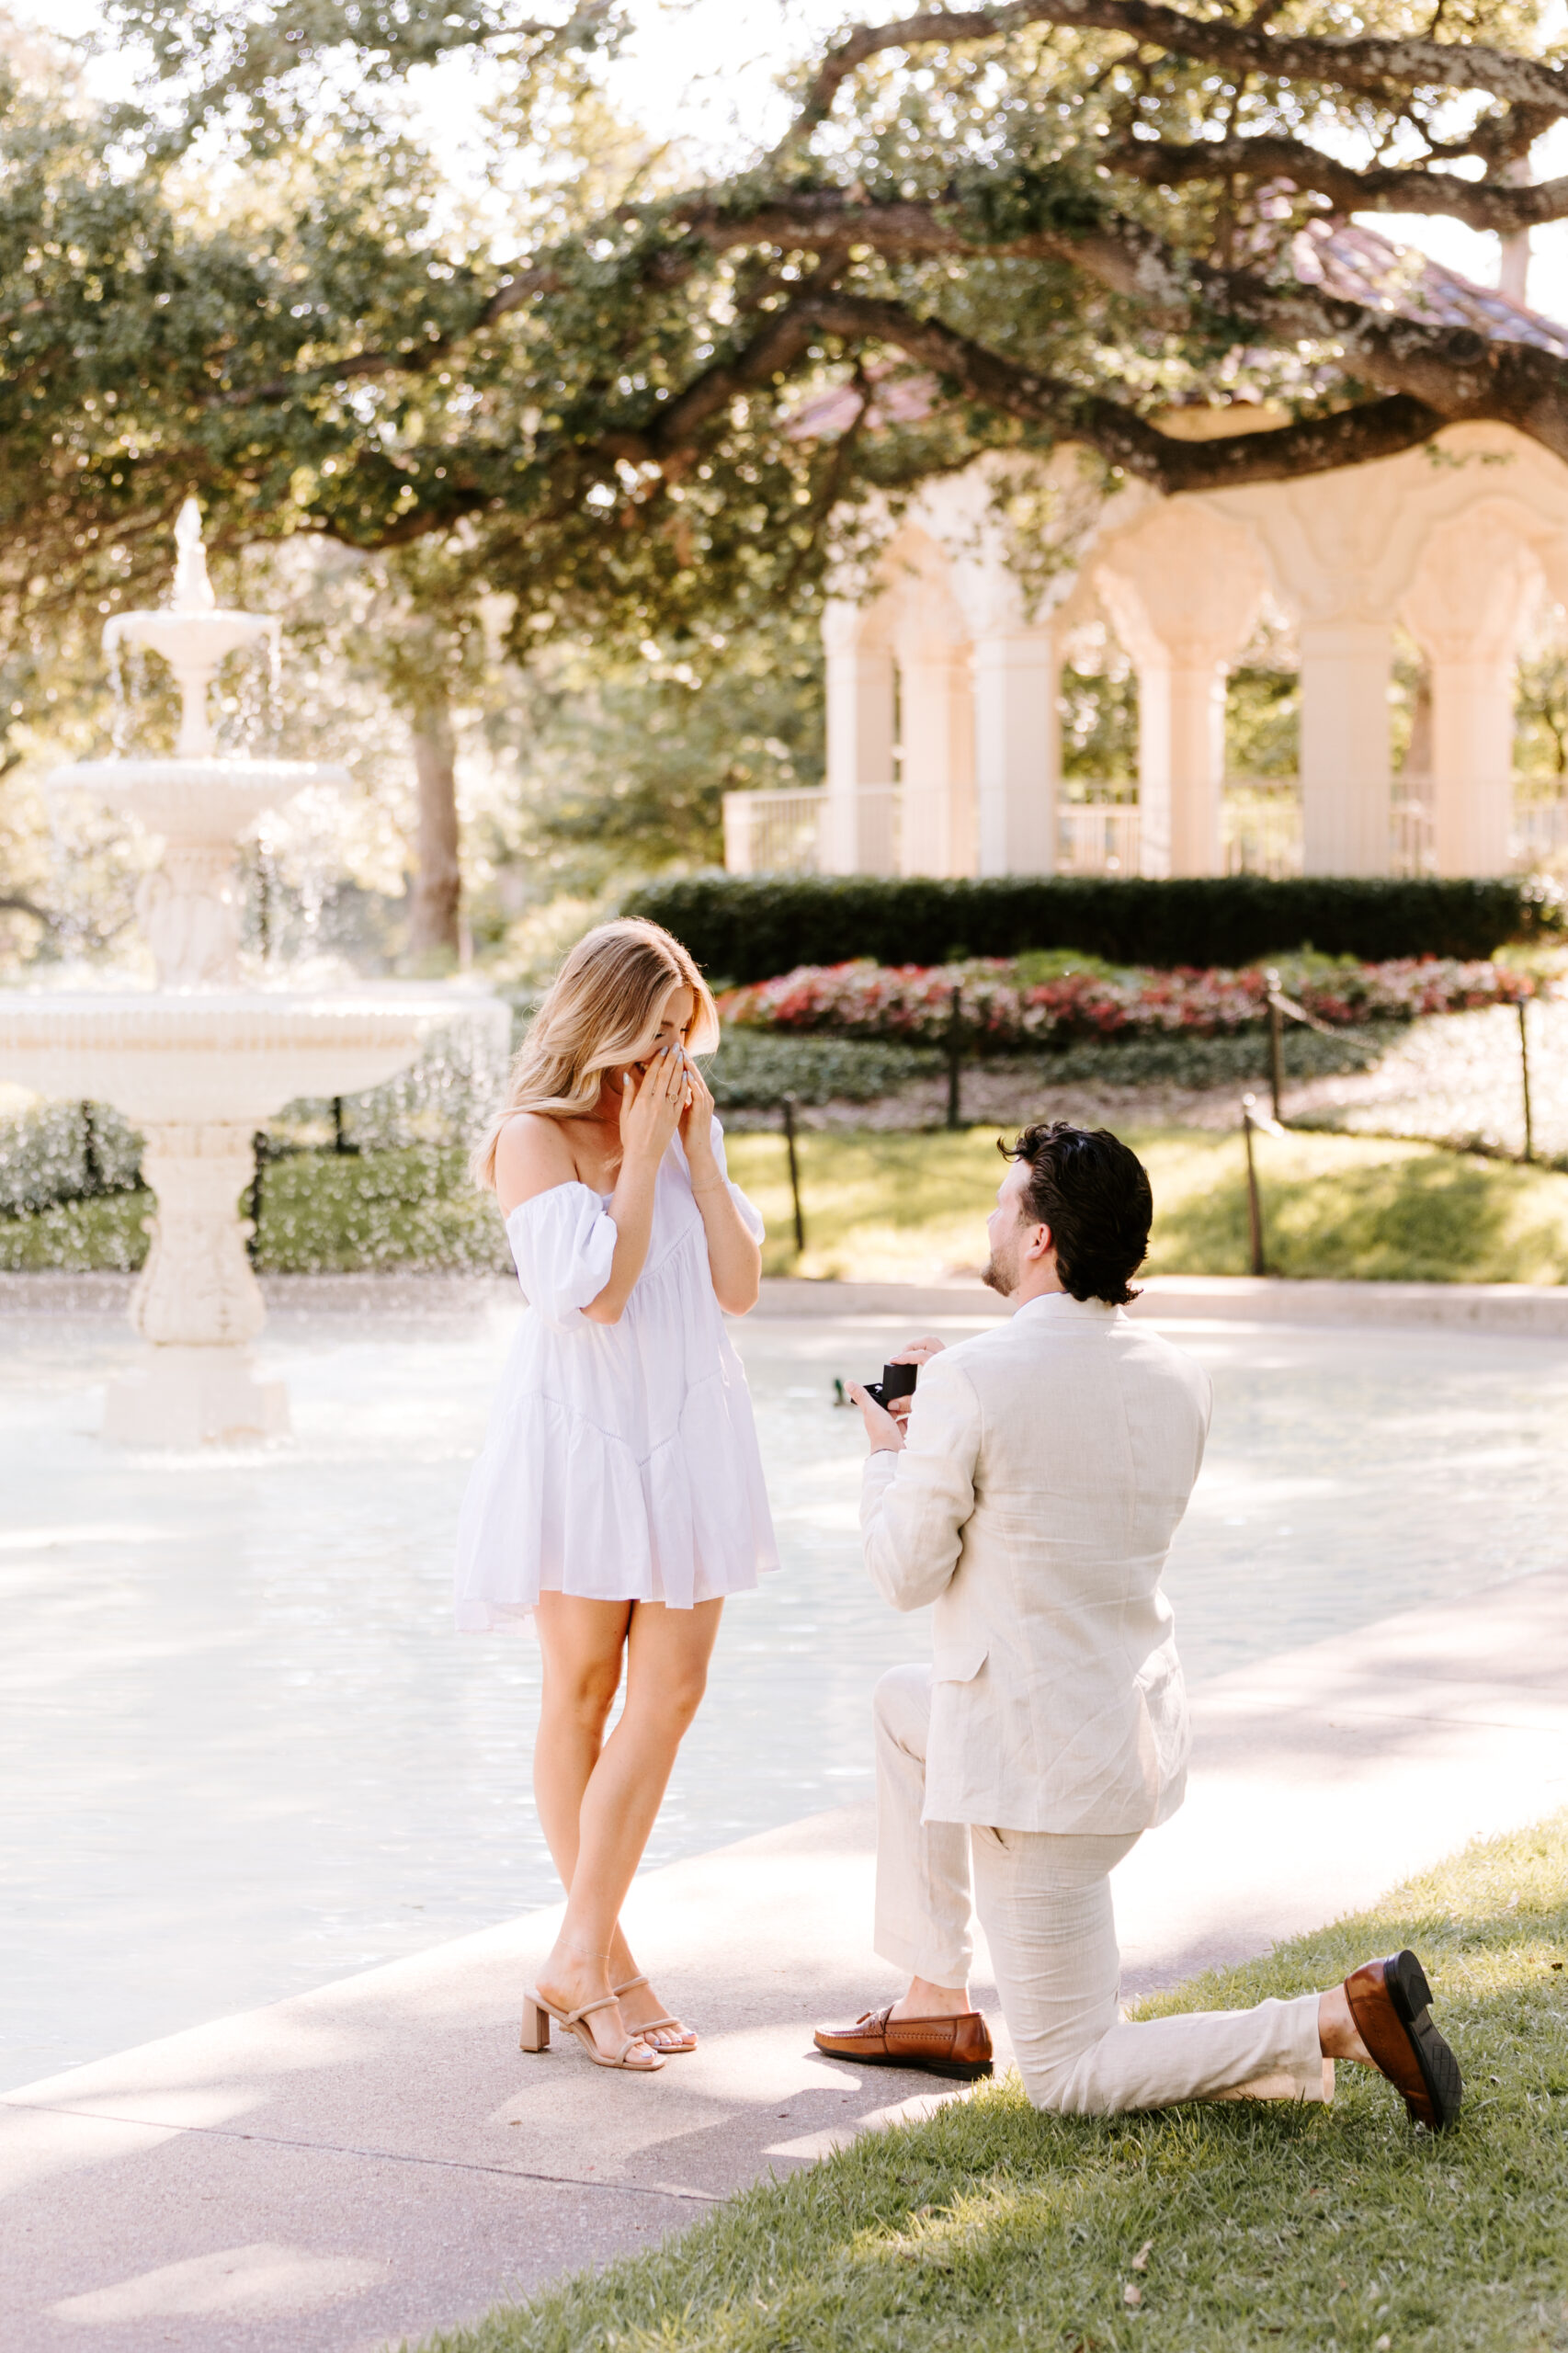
750 928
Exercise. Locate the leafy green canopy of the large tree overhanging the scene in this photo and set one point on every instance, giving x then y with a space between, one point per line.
251 276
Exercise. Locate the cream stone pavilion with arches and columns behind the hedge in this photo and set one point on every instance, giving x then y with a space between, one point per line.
943 721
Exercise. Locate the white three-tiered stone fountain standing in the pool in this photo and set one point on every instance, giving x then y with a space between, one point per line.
201 1060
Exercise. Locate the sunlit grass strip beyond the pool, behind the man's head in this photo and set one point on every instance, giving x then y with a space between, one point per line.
905 1208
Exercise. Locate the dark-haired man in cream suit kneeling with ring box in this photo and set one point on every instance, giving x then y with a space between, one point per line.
1032 1498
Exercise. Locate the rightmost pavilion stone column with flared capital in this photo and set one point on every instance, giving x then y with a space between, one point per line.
1468 606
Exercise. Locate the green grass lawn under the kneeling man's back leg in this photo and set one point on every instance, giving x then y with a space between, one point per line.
992 2229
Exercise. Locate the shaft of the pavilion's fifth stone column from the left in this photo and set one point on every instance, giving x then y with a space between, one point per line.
1346 747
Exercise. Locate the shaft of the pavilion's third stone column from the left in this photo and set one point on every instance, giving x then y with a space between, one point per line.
1018 752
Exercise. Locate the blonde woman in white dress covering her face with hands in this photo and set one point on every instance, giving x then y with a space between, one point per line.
620 1493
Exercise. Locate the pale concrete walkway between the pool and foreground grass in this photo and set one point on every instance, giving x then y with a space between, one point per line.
376 2159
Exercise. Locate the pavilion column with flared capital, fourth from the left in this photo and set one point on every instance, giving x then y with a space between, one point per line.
1183 589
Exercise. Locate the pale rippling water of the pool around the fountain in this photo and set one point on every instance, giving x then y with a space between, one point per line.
244 1752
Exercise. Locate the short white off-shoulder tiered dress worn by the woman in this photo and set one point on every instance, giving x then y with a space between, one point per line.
623 1460
